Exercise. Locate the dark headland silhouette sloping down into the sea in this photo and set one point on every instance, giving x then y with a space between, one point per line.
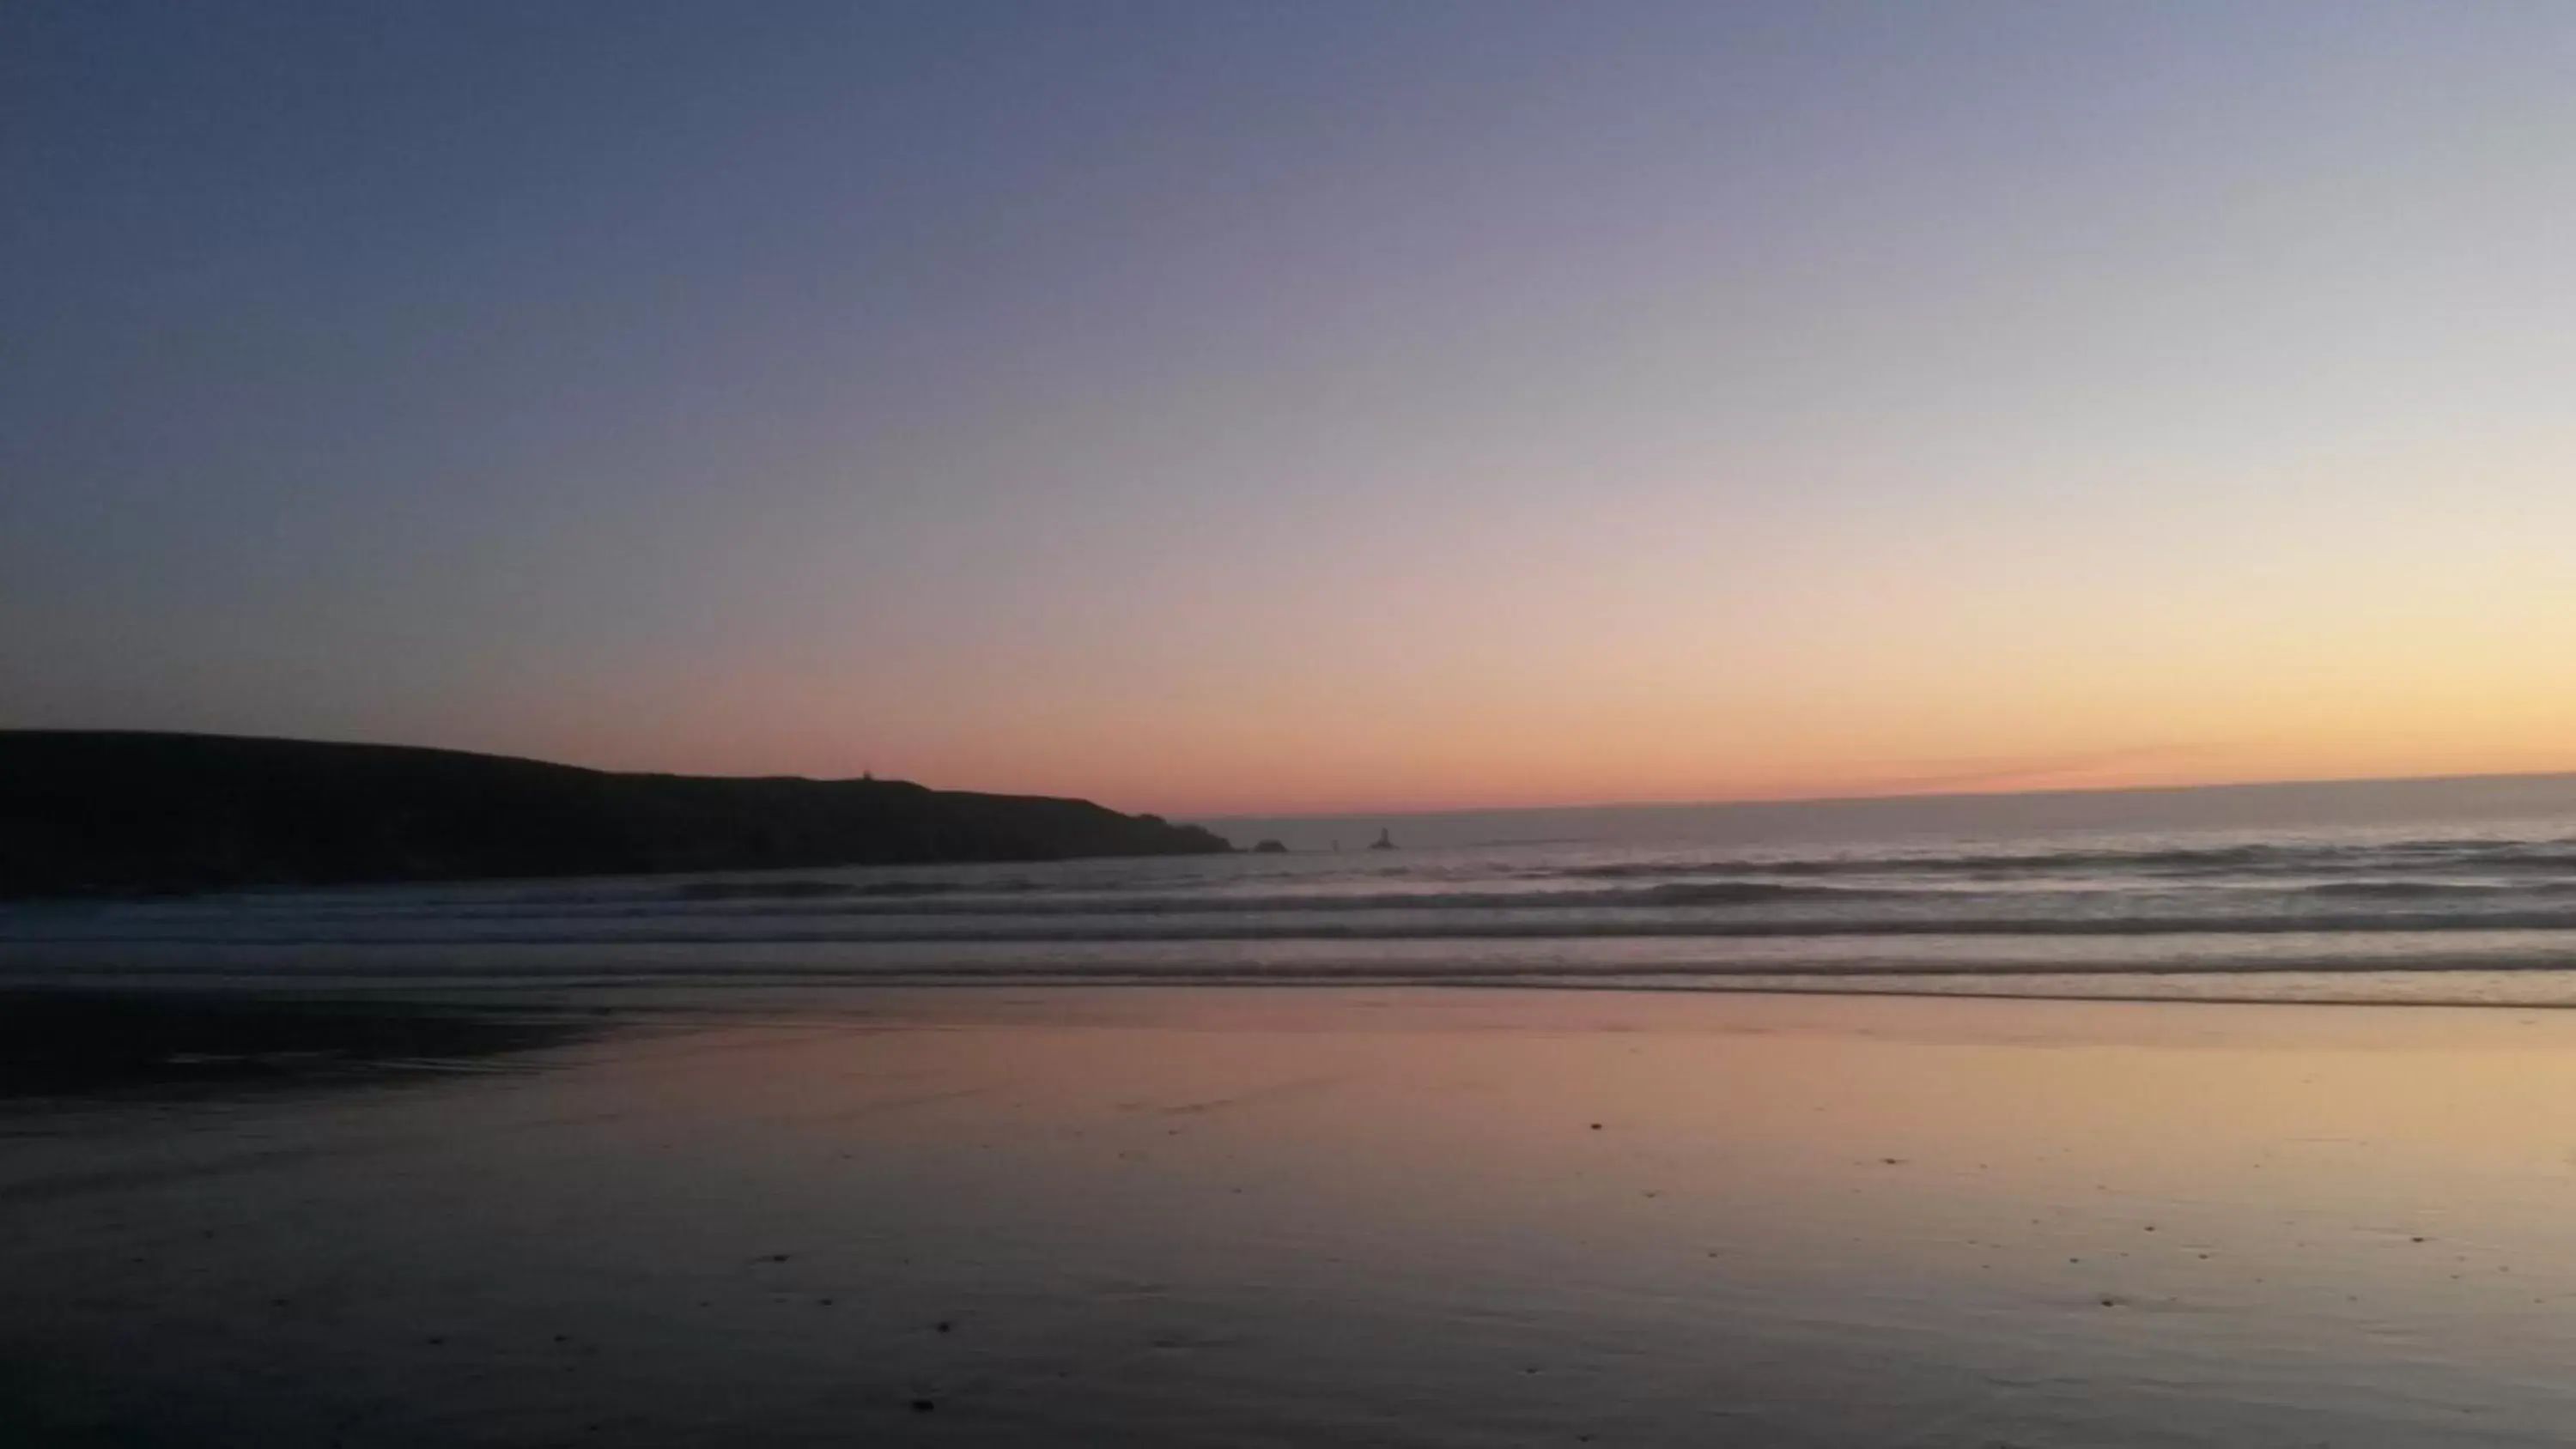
117 812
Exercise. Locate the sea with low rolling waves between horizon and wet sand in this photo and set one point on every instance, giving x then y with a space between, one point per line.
2454 892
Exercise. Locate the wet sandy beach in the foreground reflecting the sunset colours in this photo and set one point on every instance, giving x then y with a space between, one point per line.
1289 1219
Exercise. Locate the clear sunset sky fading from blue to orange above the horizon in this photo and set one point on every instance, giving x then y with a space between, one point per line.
1302 408
